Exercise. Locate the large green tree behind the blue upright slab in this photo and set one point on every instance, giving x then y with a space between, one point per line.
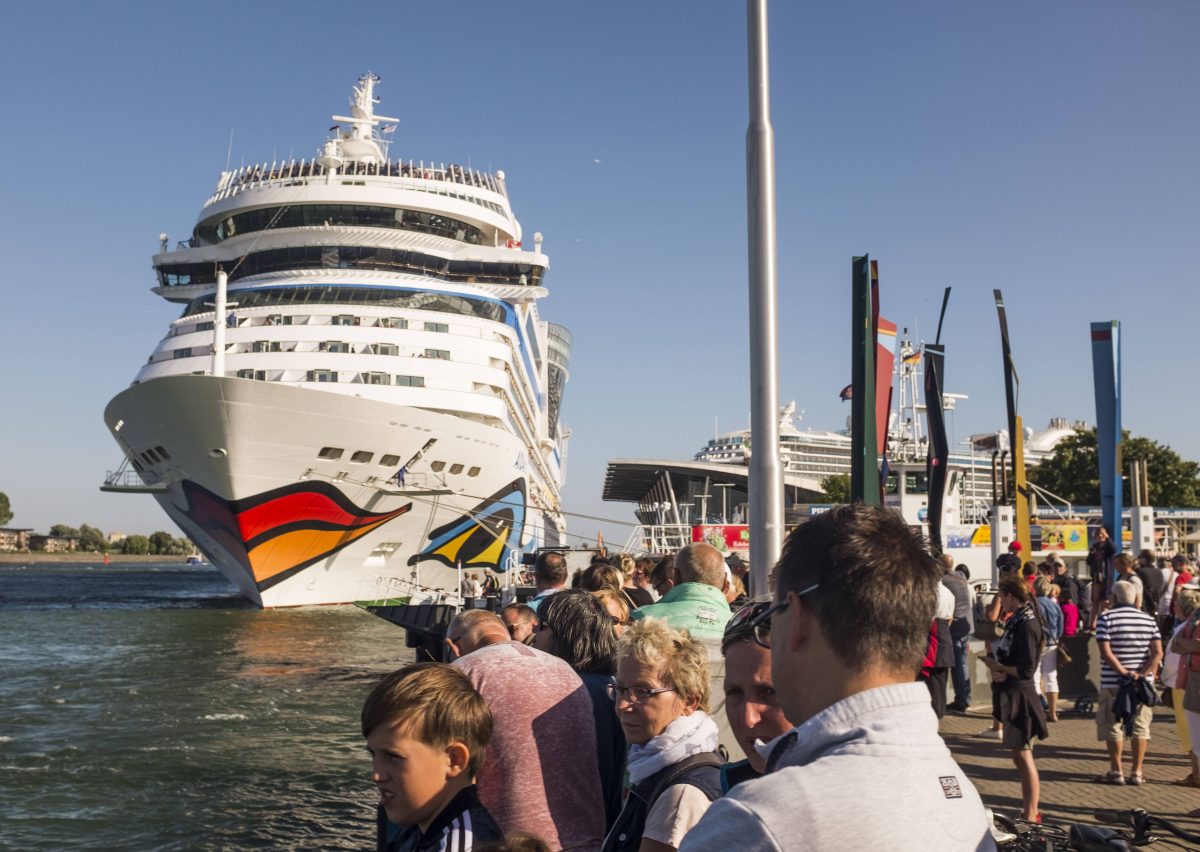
1073 473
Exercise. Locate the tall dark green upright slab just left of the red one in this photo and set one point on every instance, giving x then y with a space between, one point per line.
865 472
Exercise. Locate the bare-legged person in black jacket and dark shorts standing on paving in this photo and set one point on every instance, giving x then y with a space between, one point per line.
1017 658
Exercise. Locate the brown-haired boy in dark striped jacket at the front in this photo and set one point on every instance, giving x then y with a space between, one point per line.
427 729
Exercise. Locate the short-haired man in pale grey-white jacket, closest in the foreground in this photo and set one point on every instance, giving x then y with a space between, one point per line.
865 769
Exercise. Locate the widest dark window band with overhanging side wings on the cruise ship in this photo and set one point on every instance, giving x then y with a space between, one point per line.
355 257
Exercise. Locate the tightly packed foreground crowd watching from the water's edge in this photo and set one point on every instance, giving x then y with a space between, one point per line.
602 713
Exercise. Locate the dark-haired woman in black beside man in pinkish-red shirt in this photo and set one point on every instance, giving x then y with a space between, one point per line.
575 627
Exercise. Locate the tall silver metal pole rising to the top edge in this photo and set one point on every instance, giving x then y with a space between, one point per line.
766 471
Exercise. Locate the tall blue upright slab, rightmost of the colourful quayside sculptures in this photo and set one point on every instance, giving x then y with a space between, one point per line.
1107 377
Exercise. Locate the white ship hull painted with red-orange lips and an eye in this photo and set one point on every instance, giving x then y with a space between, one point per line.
245 479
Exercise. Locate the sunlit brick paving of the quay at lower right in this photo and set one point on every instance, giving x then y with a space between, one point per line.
1069 763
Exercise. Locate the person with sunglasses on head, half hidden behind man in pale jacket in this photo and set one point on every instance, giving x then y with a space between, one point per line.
751 704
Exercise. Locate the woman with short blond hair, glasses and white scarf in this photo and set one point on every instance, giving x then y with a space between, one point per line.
662 699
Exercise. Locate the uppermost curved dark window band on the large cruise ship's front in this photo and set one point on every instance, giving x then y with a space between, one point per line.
356 215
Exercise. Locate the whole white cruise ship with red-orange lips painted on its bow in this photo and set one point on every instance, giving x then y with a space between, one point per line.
359 399
